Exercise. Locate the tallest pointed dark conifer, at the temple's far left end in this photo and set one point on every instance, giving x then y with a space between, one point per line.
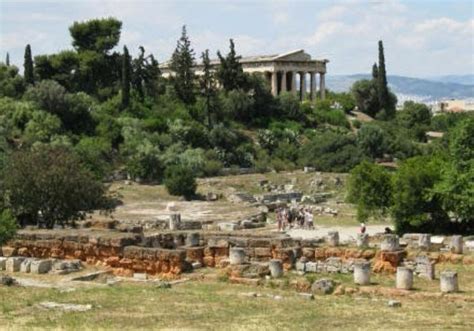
182 63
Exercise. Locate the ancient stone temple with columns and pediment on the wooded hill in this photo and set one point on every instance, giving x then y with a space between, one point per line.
293 72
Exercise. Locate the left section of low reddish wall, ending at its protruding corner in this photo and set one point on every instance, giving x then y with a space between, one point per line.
113 249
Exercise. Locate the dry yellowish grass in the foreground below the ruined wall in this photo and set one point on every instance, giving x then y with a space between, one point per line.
212 305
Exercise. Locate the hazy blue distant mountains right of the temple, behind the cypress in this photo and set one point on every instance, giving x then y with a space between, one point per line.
407 88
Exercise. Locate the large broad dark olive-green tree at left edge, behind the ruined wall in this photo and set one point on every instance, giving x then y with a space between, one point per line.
49 185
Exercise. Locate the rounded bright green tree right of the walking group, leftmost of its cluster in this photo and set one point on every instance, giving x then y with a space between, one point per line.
370 189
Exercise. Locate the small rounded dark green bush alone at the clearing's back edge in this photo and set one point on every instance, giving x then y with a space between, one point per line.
180 180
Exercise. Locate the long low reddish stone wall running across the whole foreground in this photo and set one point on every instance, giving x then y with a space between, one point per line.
173 252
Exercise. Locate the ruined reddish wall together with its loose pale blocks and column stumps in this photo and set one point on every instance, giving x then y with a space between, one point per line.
242 256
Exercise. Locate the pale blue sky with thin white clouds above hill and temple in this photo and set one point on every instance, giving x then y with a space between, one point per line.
421 37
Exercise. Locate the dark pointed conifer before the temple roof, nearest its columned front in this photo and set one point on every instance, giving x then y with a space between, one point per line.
230 72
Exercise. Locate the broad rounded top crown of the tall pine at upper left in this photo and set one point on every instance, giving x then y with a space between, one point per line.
97 35
